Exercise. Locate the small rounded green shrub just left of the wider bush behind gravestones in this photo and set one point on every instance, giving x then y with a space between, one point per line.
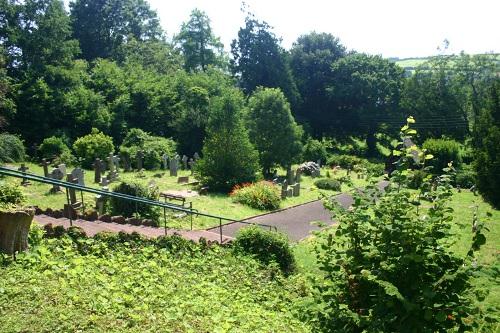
92 146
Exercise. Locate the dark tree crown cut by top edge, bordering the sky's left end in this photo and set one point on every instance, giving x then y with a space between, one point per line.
102 26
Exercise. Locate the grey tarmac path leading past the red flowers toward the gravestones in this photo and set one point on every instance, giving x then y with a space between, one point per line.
296 221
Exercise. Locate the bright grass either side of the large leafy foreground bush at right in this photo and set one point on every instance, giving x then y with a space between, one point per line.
464 205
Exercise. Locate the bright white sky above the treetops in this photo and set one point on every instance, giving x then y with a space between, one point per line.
391 28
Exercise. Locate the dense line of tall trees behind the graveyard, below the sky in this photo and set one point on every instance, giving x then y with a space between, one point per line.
108 65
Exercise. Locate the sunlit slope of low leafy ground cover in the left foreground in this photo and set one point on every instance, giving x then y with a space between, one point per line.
148 290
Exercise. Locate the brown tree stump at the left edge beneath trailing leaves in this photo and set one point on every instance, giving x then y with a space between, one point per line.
14 229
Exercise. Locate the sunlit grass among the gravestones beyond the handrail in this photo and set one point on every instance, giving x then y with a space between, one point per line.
213 203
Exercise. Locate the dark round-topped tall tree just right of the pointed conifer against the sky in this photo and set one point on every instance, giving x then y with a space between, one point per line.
311 59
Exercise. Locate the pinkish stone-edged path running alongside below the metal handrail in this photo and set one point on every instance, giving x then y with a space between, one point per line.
91 228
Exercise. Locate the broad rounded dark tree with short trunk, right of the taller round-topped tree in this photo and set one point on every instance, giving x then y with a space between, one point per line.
366 93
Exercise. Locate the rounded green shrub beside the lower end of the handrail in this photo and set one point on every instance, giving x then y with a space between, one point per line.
266 246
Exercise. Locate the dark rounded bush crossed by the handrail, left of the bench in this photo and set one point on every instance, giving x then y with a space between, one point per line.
127 208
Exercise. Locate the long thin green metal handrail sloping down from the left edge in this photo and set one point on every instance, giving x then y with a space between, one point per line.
68 185
